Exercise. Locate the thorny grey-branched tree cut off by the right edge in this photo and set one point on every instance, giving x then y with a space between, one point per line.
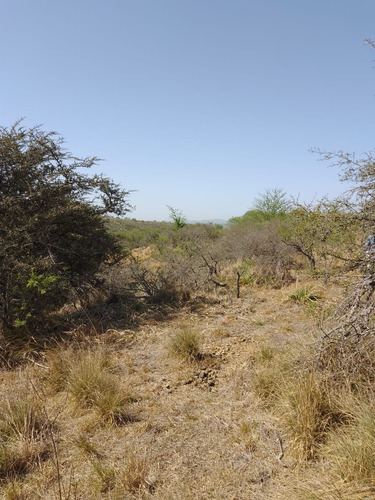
350 343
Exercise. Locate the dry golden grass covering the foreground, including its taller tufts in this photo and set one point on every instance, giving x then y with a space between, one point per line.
231 420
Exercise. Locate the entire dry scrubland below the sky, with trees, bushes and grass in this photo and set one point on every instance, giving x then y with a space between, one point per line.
181 361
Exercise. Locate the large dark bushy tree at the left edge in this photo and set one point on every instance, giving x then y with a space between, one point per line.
53 237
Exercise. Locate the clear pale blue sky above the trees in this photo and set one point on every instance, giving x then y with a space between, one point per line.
197 104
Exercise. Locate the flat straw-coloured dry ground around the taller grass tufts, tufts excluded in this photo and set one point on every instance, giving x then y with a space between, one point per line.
197 429
